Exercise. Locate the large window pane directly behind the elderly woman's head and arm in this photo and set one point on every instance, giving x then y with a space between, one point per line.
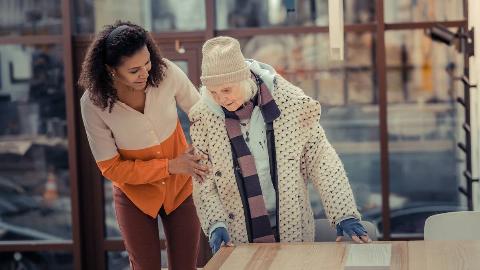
347 94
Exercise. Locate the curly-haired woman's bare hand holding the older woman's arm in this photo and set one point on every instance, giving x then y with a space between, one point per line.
188 163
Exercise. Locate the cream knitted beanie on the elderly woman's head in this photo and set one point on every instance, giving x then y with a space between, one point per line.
223 62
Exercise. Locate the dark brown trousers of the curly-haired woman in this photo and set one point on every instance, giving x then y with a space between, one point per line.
140 234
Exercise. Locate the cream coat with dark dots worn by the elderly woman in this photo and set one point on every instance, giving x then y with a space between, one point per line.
303 154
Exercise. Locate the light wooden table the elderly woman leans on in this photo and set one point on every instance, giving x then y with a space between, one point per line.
411 255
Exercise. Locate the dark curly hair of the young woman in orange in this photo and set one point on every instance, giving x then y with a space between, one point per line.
110 50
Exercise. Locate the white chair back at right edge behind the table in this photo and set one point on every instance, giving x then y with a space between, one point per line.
461 225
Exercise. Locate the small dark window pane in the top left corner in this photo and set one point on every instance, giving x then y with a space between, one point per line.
30 17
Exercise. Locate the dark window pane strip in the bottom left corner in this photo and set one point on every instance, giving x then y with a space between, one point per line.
36 260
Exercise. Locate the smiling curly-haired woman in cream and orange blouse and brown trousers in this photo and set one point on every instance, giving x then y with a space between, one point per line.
129 110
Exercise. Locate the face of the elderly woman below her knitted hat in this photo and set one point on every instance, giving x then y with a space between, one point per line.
230 96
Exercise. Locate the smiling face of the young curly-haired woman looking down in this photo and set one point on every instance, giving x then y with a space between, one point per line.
133 72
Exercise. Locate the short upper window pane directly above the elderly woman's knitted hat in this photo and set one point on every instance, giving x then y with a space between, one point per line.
262 13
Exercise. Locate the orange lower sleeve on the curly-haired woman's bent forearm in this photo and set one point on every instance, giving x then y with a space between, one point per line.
134 172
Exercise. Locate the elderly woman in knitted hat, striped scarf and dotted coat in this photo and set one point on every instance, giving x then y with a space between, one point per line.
263 140
